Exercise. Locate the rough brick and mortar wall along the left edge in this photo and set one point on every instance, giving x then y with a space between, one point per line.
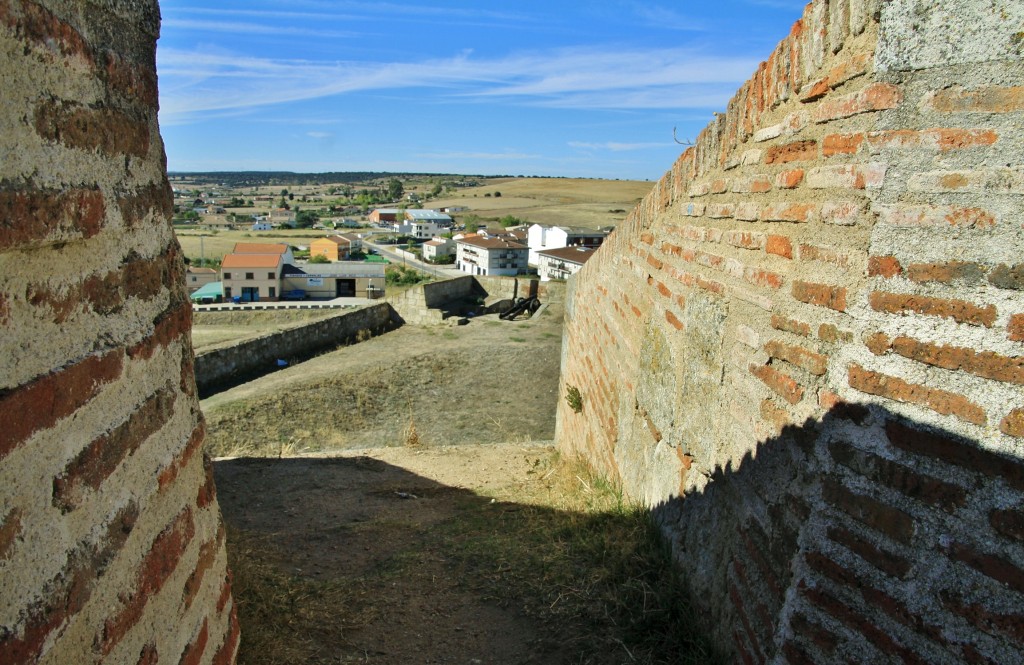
111 543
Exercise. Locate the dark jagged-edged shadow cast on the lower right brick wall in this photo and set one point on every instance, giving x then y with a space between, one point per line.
862 537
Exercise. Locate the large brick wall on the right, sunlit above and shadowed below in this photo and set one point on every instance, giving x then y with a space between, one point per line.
805 348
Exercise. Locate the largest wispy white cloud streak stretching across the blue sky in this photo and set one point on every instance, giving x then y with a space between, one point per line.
197 82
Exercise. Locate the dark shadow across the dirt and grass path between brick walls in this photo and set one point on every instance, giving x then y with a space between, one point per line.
355 560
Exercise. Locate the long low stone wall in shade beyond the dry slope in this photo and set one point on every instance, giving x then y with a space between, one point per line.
255 357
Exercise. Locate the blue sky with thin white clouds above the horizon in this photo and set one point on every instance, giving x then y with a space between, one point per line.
578 90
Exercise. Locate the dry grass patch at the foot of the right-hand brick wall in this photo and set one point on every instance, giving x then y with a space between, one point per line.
575 554
